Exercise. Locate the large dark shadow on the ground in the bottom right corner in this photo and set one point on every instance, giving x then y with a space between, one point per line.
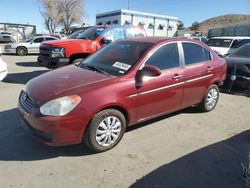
216 165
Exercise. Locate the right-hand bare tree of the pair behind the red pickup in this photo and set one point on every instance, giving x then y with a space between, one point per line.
72 11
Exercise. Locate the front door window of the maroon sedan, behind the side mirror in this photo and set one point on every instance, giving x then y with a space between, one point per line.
166 57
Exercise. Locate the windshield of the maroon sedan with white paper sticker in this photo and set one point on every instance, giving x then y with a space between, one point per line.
117 58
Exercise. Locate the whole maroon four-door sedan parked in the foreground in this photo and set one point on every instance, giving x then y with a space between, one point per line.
127 82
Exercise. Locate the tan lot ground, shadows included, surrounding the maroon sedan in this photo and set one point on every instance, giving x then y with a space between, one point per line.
183 149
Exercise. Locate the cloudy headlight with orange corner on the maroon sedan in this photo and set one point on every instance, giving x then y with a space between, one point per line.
60 106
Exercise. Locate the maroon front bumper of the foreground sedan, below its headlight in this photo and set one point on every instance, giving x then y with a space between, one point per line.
53 131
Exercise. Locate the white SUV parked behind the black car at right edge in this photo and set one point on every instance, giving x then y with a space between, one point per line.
225 45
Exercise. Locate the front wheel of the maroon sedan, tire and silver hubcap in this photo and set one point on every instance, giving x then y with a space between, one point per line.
105 130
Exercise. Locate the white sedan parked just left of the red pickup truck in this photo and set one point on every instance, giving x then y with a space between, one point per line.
30 46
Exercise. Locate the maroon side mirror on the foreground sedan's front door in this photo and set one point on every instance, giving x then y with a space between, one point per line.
147 71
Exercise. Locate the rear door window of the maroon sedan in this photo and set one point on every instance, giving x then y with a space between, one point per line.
194 53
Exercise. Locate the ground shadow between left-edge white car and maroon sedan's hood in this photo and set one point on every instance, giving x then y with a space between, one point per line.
22 78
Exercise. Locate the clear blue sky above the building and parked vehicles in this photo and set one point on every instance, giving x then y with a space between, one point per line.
189 11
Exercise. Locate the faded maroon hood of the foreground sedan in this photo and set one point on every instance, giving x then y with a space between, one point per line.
57 83
